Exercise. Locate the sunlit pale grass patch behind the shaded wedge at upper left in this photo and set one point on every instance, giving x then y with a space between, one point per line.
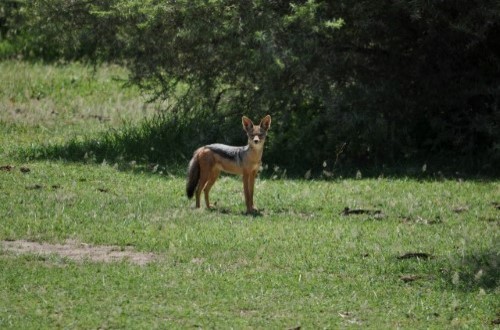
49 104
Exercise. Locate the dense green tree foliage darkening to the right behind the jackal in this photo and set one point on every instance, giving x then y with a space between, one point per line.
397 82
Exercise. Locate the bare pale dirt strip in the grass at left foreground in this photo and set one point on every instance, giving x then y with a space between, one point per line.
80 251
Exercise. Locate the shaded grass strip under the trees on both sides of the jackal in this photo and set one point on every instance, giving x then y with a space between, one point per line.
170 139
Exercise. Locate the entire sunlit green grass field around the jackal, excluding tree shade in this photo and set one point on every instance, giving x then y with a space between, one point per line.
405 254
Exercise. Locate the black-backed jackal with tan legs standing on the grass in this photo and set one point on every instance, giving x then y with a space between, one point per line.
207 162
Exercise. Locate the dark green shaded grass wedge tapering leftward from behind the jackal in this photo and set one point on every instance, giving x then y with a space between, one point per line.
146 147
